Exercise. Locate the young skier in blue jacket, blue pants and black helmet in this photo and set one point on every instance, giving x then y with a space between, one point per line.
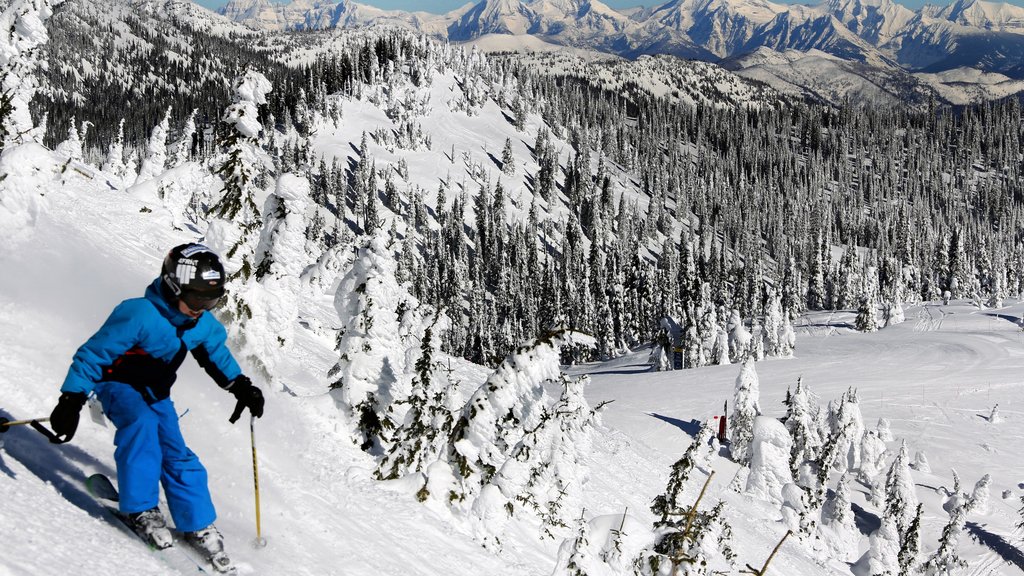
131 364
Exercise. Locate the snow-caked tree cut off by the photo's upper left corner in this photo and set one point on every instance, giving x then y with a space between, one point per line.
23 34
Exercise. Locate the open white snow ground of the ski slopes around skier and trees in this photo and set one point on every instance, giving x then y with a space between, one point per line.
936 379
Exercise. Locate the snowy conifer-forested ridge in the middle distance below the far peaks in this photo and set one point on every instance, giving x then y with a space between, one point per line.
606 205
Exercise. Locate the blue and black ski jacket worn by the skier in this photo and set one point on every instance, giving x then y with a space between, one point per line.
145 342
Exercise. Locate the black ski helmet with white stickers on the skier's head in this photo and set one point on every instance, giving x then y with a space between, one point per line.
193 273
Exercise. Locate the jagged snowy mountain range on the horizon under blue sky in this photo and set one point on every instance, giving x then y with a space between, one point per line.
972 34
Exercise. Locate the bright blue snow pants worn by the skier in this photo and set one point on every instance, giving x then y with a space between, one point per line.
151 451
